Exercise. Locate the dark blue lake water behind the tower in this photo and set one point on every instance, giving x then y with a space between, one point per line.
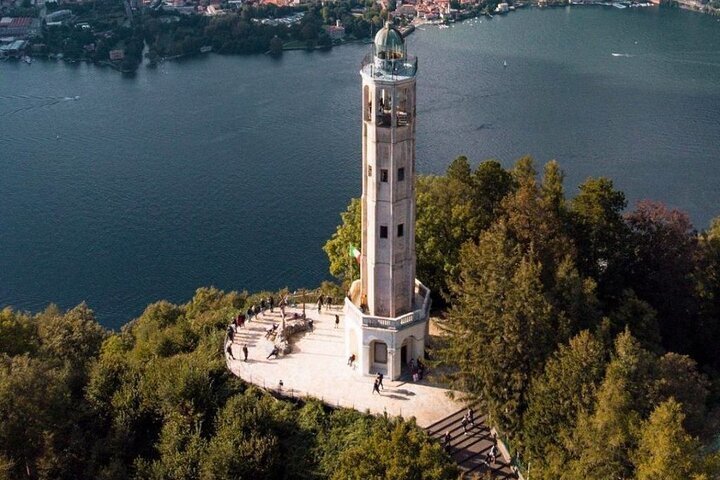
232 171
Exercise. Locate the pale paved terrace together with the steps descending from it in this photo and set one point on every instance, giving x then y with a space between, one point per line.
317 367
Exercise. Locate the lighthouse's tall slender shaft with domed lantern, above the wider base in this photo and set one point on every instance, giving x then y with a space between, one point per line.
387 262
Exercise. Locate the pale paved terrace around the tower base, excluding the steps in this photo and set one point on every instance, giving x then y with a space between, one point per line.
317 367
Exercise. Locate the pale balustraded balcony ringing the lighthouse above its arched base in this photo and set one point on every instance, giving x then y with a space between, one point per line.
420 313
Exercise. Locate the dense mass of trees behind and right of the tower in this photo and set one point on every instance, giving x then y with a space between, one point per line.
588 332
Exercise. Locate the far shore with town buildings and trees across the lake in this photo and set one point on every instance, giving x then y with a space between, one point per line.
124 34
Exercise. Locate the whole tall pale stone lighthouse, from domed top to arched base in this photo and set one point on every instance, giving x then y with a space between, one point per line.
387 309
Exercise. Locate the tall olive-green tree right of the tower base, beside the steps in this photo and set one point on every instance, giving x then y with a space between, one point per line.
499 327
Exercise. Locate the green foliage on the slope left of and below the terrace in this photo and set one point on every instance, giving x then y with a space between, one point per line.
156 401
